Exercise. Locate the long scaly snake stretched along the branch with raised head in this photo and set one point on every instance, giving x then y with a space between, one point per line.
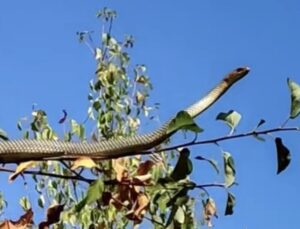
21 150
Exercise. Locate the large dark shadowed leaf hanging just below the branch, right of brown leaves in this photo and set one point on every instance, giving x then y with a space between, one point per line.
183 167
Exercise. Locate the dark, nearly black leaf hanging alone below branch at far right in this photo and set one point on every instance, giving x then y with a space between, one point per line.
283 155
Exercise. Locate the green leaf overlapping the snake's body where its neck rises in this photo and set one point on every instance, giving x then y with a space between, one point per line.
183 121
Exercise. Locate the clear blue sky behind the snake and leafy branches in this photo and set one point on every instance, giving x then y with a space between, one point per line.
188 46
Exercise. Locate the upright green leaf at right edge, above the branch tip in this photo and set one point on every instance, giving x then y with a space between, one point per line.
295 98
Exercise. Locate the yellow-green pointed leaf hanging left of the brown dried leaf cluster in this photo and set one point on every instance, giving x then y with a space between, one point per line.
94 193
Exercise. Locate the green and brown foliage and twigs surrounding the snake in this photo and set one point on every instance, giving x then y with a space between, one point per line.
126 191
